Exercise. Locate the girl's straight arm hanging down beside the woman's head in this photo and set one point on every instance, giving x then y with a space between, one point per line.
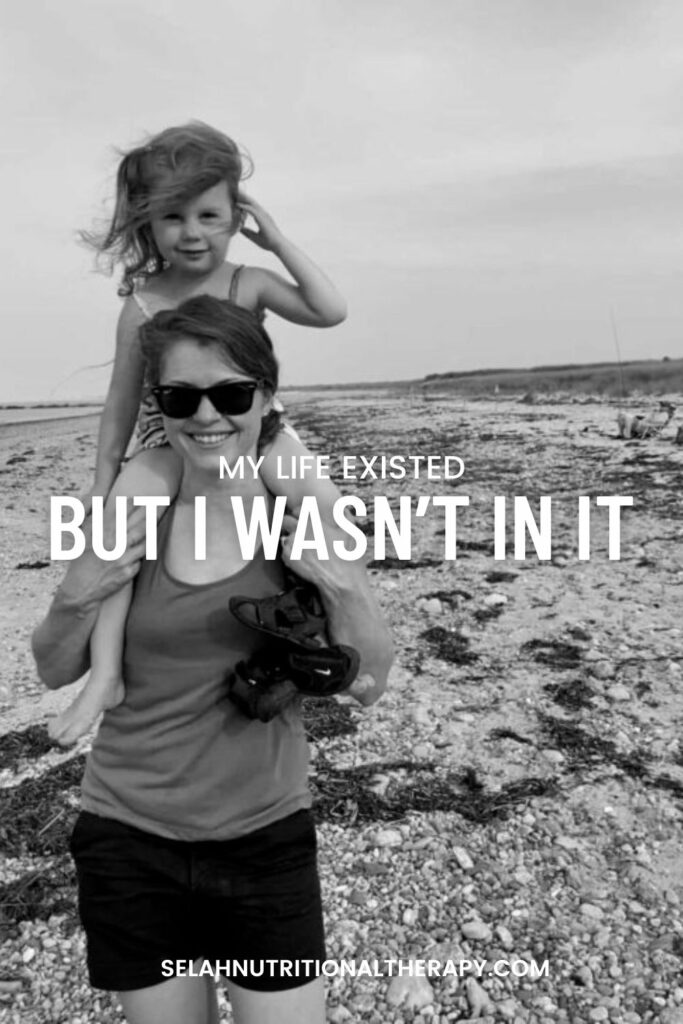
123 400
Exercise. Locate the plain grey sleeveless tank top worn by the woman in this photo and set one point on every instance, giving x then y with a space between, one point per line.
178 758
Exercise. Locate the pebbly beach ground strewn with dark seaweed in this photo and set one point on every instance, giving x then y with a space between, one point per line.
517 795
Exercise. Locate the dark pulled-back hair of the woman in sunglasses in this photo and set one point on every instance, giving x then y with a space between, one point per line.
235 333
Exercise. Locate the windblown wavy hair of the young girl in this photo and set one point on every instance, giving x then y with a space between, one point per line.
163 173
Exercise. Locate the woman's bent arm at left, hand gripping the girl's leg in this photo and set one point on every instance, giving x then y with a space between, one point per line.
61 644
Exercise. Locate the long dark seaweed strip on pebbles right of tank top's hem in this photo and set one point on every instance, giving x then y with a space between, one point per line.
346 796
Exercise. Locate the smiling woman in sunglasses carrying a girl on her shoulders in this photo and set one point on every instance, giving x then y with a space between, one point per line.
196 839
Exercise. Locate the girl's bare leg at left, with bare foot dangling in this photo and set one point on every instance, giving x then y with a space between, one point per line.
156 473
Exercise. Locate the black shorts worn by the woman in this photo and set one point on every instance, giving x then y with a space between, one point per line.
145 900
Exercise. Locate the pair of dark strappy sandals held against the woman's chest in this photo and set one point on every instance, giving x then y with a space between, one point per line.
297 663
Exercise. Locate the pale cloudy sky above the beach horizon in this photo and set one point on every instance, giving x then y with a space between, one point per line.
487 182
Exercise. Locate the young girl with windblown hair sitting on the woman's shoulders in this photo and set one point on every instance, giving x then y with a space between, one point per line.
178 206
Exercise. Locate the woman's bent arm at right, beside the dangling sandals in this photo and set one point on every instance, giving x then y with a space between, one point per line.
354 615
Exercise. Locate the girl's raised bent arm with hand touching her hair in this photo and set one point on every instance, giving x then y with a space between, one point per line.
313 301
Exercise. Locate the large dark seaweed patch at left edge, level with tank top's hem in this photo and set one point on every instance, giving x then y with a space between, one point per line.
37 817
